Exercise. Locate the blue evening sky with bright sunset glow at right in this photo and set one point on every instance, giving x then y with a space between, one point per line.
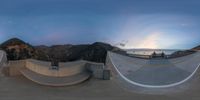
158 24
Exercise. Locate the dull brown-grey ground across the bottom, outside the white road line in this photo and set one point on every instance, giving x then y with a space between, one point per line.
20 88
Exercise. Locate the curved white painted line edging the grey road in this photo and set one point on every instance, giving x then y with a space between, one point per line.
111 64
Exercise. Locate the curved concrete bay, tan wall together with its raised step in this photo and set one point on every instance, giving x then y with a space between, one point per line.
68 73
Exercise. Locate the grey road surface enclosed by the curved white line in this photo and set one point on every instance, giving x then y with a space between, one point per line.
156 72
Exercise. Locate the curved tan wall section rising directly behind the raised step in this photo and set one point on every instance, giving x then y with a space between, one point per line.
65 69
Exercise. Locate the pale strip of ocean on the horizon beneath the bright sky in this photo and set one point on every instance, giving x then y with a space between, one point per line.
150 51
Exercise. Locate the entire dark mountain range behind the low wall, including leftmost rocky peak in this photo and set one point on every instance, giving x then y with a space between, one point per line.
17 49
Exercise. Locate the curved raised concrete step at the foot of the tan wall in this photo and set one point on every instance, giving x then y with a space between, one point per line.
55 81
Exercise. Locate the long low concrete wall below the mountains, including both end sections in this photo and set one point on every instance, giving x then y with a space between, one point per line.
65 69
